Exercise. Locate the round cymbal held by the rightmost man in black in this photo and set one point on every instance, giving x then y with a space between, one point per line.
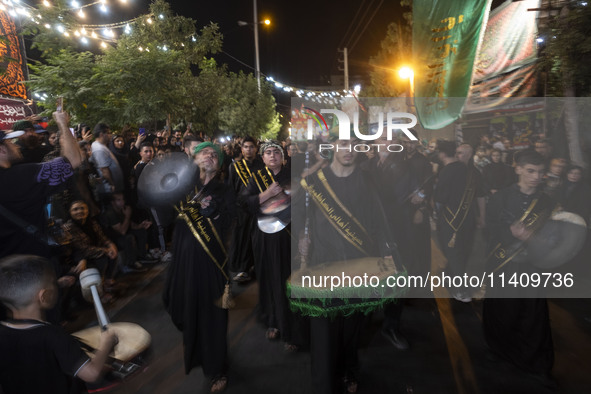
561 238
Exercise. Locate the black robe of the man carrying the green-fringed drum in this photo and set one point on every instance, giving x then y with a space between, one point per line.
334 342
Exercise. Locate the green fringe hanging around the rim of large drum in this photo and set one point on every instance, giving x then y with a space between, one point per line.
342 301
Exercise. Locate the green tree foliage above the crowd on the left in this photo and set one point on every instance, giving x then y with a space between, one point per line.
162 68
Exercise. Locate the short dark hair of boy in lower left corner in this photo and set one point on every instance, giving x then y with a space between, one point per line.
21 278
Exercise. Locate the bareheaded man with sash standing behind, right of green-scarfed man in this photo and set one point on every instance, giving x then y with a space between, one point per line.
241 255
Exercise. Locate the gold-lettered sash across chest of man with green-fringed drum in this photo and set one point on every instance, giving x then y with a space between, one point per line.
335 211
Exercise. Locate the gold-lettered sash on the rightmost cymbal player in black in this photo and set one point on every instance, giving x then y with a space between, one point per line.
534 218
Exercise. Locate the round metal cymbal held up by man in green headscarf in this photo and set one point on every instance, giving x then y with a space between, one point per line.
166 182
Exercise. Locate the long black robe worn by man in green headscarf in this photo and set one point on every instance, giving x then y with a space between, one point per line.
194 284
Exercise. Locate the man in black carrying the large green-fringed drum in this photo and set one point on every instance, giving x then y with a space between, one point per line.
346 222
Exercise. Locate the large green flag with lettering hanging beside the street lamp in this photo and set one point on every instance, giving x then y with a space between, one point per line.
445 38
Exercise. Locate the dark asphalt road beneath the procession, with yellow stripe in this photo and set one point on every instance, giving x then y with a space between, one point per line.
447 355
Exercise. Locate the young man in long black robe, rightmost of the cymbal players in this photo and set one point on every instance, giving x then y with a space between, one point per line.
517 329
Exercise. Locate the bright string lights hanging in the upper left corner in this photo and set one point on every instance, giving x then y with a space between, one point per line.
103 33
